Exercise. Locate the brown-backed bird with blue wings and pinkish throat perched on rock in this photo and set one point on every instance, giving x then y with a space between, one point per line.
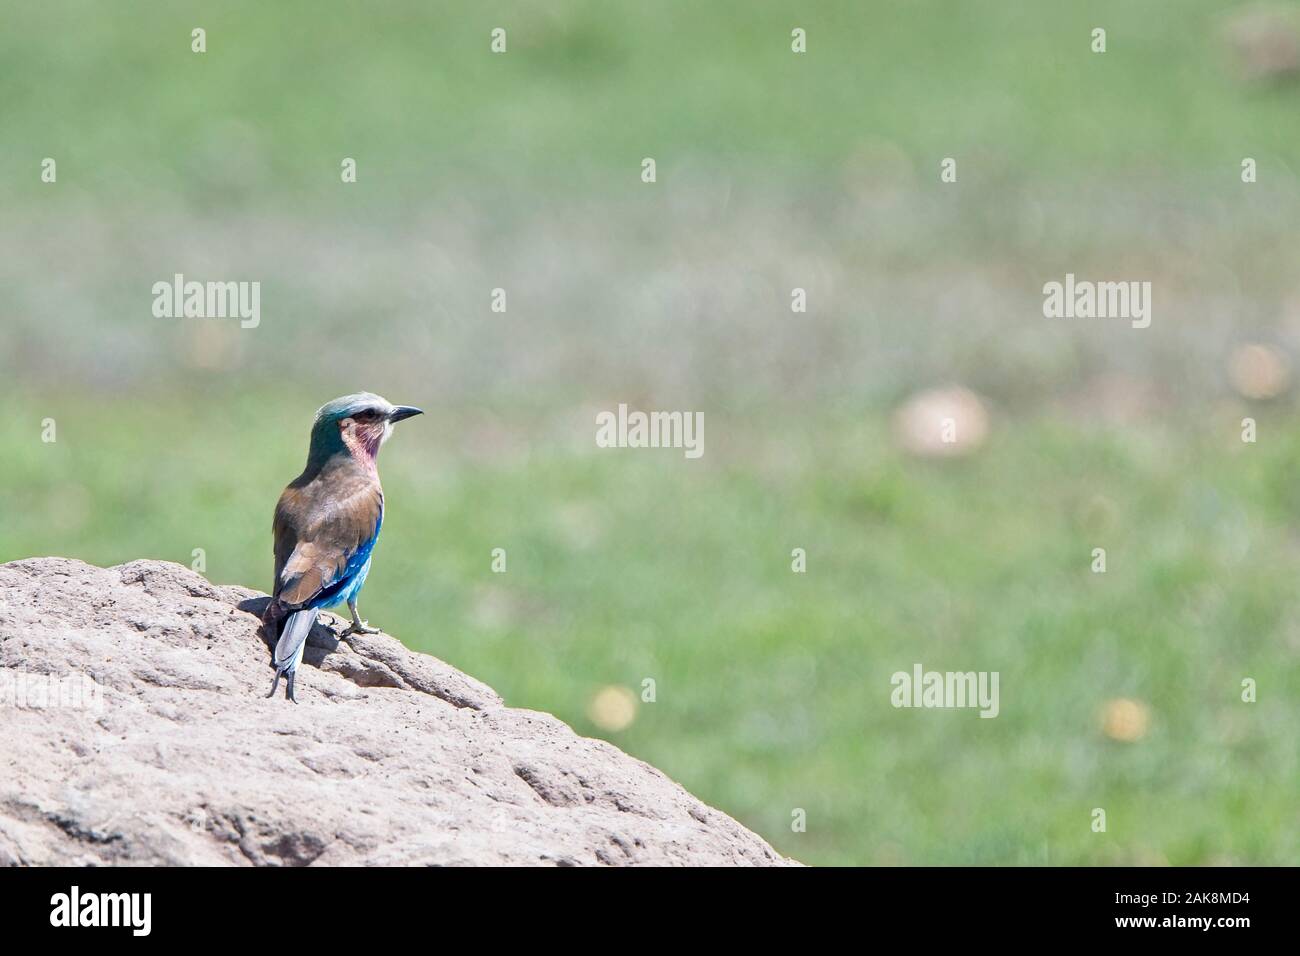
327 524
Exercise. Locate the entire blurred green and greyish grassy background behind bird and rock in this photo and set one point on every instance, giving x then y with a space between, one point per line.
774 171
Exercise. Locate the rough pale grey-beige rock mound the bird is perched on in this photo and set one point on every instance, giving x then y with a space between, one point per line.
174 756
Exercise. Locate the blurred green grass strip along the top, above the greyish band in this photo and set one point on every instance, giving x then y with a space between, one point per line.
587 89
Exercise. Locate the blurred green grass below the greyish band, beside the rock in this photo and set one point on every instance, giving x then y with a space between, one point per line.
774 687
